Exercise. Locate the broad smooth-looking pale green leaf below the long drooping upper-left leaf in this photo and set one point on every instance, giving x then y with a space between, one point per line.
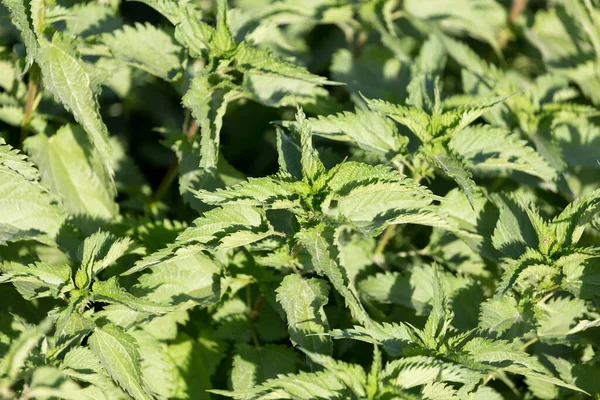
71 167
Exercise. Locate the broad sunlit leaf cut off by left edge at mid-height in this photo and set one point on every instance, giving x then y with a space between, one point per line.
27 210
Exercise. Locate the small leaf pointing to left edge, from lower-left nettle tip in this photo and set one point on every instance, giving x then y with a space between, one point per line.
38 279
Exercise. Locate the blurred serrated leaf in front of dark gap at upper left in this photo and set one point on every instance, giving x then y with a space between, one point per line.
147 48
